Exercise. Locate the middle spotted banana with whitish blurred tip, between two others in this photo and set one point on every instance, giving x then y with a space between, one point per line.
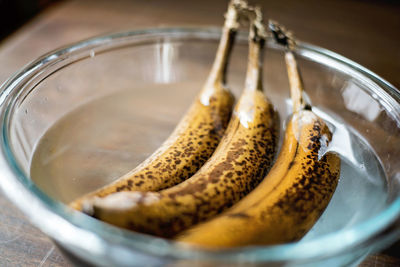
240 161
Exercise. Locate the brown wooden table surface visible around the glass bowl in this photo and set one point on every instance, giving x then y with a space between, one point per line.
367 32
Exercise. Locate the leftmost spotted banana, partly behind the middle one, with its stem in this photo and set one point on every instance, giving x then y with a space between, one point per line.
195 137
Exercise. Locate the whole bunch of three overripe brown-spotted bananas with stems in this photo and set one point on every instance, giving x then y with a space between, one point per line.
232 197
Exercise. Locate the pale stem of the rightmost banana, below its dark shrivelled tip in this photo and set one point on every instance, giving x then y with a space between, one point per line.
296 84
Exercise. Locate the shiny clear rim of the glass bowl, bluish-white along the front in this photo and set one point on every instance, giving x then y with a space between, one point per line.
77 227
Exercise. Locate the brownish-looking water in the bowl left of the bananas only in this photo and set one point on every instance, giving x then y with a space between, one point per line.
102 140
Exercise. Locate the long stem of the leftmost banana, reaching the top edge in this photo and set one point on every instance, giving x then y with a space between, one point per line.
219 69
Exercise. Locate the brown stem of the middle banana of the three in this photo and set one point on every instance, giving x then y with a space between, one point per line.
257 38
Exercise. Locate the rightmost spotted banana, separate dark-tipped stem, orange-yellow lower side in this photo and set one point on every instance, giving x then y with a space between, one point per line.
287 203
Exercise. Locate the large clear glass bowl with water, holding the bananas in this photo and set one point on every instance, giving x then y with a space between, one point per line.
77 118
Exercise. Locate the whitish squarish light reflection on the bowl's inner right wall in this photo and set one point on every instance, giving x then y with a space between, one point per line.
358 101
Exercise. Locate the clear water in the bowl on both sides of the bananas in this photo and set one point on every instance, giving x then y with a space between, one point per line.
106 138
